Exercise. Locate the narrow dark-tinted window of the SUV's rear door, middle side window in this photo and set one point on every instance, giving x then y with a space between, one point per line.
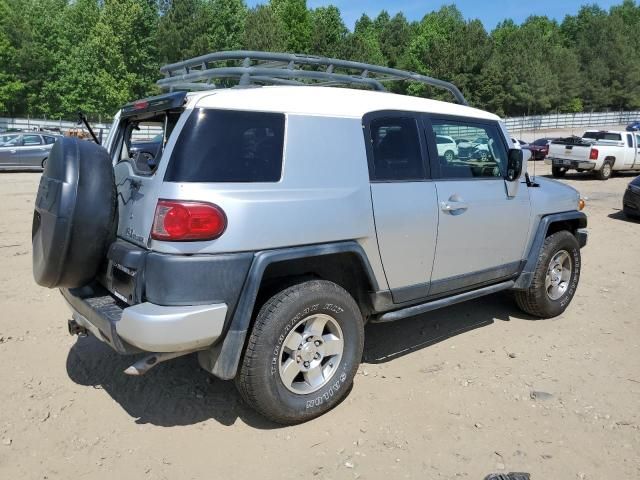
396 149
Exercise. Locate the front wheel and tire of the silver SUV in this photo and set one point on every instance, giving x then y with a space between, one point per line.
551 291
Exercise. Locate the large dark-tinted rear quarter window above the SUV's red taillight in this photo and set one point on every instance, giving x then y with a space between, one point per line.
228 146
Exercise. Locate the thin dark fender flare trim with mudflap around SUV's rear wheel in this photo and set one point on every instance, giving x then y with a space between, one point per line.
223 358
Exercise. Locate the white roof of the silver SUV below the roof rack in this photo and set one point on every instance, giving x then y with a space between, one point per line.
325 101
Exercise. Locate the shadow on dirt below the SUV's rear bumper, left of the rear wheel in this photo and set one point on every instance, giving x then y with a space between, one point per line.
174 393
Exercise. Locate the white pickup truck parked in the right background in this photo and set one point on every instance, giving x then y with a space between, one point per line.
601 152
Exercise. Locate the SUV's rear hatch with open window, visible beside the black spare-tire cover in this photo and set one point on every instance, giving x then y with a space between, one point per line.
137 145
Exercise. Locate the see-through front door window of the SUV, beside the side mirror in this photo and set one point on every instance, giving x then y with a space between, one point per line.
475 150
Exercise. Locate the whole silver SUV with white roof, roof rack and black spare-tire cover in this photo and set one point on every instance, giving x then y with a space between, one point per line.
273 222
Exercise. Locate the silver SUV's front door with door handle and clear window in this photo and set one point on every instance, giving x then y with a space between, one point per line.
482 231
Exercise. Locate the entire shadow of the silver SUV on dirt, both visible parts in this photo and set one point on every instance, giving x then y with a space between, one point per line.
179 392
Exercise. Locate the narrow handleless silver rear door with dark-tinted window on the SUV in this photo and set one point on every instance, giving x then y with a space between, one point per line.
404 201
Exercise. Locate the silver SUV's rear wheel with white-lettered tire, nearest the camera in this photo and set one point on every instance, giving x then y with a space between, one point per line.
273 381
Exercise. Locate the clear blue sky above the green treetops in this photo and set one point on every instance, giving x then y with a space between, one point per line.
490 12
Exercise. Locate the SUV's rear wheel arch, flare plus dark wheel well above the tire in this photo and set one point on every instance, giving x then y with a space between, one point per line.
344 263
